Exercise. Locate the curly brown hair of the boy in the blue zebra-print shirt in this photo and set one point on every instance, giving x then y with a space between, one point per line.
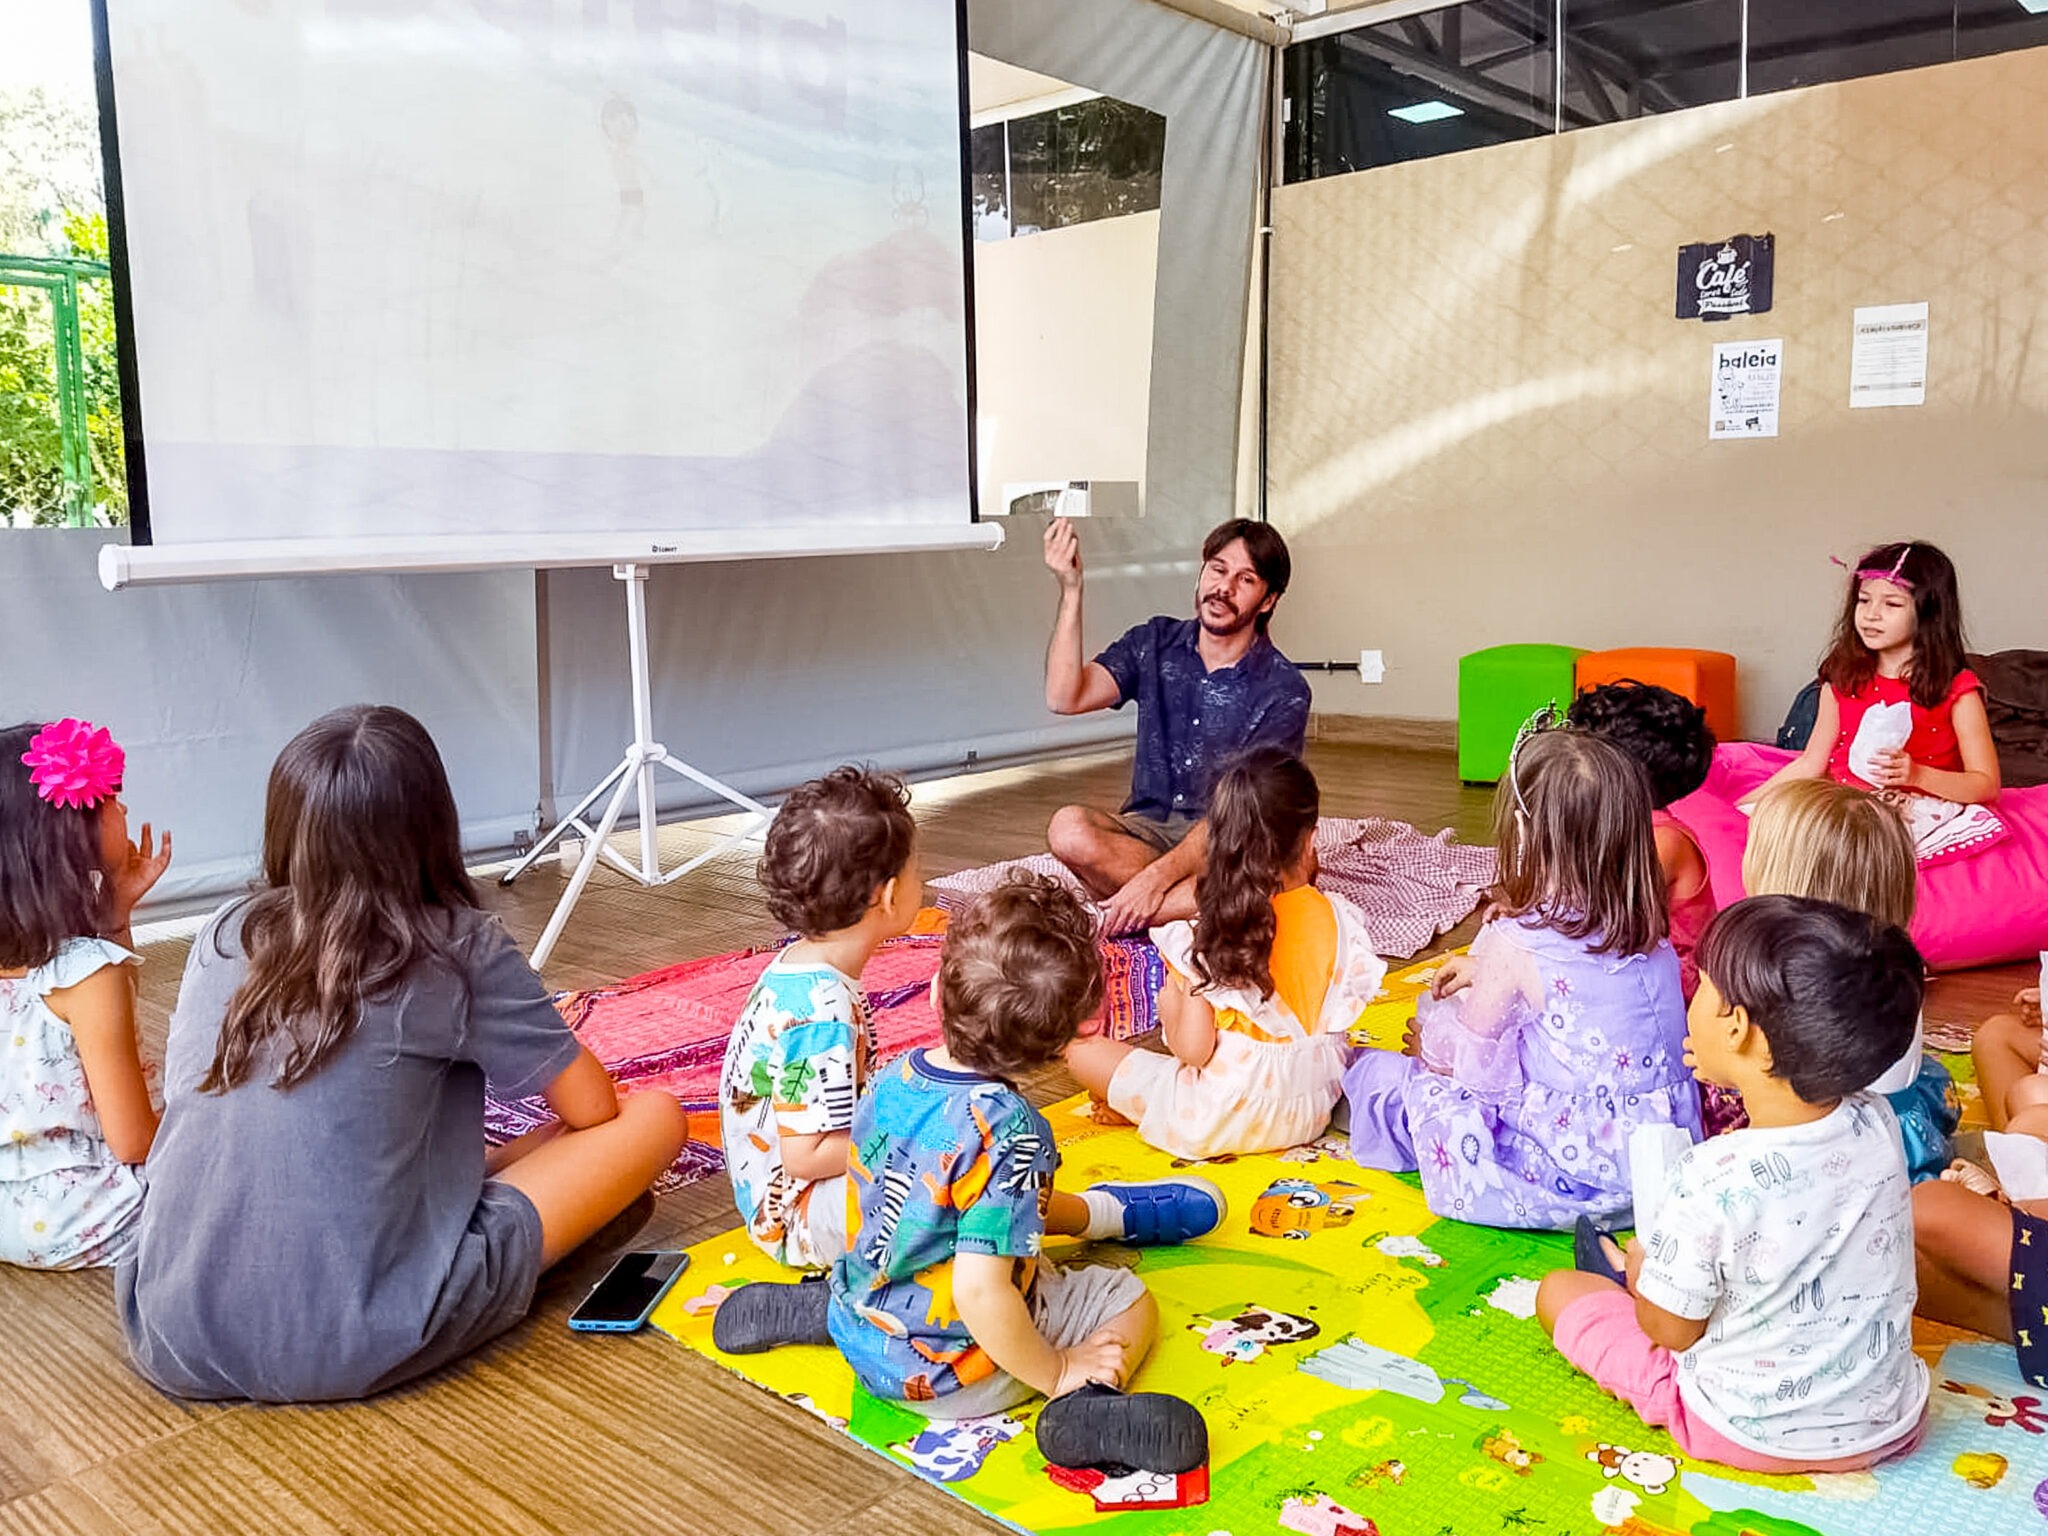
1019 978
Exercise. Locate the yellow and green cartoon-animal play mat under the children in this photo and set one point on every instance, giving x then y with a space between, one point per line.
1424 1400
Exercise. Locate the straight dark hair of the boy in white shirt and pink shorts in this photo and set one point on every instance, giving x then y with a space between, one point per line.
1836 992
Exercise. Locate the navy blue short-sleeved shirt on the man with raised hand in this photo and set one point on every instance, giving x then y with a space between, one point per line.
1195 724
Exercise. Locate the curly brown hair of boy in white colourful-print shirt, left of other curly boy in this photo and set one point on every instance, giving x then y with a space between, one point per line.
833 847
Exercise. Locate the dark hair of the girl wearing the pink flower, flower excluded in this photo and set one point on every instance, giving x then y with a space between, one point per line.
52 871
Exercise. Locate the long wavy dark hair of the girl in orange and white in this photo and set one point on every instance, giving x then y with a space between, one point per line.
1258 820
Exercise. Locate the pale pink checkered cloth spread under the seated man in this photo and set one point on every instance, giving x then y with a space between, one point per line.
1410 886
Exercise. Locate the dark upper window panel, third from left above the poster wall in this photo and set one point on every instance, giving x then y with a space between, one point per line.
1807 42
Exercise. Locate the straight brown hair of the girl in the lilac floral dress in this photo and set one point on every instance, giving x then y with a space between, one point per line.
1578 853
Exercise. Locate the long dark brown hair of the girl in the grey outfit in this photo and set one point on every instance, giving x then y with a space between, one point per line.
361 871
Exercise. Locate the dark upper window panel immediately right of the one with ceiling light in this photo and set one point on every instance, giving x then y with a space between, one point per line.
1627 58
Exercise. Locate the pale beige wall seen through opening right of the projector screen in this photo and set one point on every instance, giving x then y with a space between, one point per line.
1064 333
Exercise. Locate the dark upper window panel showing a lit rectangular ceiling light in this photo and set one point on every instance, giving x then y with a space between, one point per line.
1431 85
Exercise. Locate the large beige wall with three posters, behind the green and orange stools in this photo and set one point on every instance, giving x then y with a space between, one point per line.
1488 425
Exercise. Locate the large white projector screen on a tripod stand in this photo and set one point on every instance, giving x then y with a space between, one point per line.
556 278
